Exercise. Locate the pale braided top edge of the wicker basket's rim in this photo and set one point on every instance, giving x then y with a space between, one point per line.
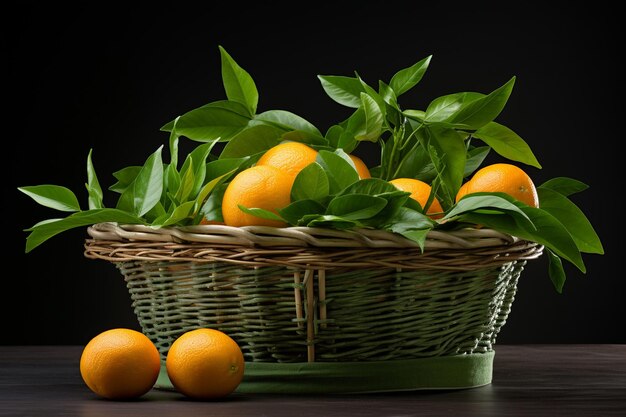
272 237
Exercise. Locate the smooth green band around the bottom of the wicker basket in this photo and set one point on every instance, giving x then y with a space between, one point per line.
444 372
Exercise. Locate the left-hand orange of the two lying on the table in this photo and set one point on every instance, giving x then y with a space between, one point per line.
120 364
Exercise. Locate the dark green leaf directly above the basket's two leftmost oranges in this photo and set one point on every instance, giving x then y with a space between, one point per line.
251 141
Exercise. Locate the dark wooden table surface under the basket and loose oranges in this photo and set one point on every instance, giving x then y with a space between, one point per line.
529 380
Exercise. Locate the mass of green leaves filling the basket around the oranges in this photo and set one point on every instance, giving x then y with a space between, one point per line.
441 145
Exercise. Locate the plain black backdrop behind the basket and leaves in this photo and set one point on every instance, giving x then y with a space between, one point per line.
108 79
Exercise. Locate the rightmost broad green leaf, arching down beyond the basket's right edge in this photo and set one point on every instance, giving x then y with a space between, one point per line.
572 218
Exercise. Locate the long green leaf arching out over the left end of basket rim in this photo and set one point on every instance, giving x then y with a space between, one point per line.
44 231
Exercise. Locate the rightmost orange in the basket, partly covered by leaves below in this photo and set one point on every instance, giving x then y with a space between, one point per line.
503 178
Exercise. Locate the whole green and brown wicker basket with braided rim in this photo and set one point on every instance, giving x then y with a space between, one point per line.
325 311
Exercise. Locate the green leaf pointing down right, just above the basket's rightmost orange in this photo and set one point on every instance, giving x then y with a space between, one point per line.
506 143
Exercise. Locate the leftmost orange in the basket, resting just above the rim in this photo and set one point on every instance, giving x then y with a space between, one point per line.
262 187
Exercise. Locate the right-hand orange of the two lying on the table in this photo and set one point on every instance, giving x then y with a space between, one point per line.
205 364
